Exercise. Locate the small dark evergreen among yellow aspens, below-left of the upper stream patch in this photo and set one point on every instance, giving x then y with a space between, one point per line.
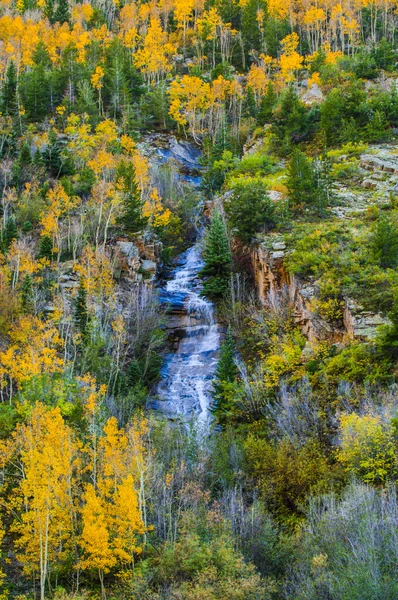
131 218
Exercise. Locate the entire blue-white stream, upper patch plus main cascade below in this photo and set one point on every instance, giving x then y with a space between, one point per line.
184 389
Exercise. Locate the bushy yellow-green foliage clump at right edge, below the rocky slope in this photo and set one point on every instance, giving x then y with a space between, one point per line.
367 447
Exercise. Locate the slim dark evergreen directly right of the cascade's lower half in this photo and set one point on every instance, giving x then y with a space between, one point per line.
225 375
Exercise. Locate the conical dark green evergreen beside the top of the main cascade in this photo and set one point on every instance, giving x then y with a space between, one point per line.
217 258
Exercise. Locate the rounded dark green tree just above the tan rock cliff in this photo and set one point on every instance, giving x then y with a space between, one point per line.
250 210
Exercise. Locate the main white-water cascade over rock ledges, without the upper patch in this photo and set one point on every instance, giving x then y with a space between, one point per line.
184 390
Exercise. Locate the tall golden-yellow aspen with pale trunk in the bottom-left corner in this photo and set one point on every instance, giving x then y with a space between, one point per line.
47 453
